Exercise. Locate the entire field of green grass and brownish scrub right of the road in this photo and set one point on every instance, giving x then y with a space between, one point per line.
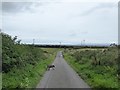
98 67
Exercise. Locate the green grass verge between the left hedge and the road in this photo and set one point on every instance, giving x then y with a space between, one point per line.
26 77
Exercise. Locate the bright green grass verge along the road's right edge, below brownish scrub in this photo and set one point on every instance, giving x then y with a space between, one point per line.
97 77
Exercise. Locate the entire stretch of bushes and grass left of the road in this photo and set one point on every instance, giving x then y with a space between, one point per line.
22 65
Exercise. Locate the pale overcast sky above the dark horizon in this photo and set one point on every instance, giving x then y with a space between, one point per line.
65 21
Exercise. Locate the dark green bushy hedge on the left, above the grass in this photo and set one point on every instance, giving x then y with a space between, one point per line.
15 55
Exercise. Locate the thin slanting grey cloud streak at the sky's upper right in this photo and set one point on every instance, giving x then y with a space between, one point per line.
99 6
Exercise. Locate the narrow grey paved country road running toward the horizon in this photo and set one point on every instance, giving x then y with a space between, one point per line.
62 77
